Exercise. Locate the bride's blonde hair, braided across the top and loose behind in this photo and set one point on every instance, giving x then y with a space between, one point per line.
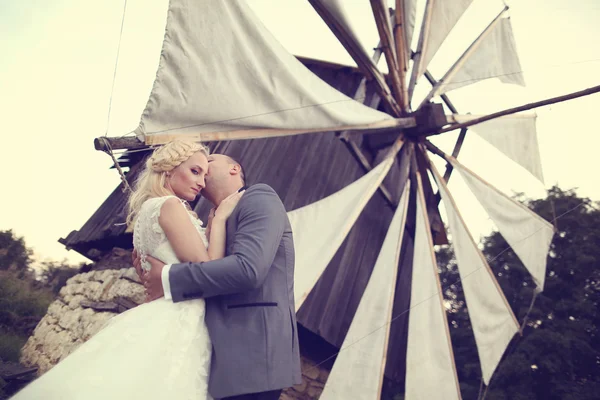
151 181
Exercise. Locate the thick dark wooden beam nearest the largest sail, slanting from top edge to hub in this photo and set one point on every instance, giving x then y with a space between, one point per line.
355 50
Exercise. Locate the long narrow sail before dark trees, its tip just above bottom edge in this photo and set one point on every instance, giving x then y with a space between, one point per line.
492 319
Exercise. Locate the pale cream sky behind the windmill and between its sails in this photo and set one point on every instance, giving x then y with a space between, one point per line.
56 73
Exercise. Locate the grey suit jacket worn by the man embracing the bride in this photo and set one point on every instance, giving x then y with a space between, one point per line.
250 311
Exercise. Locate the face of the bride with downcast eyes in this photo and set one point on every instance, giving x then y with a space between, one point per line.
187 180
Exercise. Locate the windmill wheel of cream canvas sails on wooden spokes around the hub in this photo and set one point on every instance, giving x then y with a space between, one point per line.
213 49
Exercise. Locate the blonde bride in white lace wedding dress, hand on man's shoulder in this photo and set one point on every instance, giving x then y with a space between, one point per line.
160 349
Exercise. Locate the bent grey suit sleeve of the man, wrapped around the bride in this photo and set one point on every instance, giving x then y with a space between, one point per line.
261 222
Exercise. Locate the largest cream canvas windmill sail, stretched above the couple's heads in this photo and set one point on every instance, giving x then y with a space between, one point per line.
221 70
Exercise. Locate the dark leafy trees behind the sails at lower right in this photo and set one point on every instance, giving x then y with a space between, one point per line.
558 356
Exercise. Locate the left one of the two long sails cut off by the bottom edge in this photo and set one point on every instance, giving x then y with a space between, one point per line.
365 346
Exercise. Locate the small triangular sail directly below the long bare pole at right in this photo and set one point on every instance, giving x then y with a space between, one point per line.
514 135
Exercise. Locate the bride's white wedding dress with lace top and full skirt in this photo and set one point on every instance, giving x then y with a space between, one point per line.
158 350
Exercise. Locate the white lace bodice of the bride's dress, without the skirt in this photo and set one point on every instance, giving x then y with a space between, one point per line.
150 239
